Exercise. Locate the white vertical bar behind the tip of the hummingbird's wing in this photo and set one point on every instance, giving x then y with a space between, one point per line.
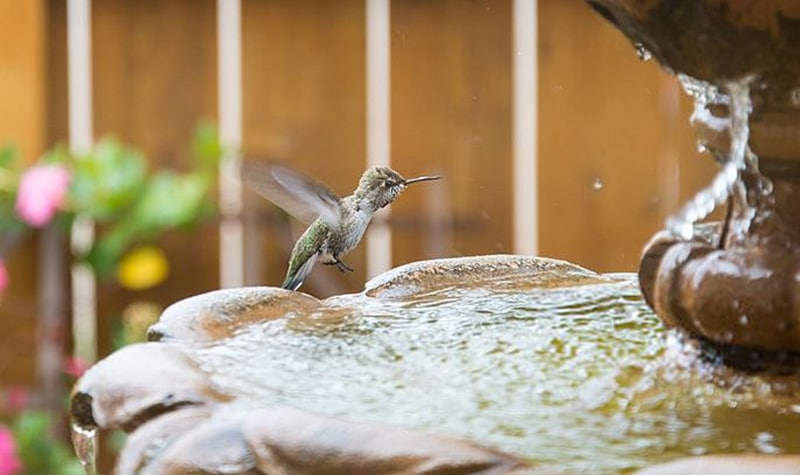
229 64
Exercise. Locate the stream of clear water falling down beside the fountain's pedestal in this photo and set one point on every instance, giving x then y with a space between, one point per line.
728 182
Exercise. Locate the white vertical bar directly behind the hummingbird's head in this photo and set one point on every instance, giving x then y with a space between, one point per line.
379 238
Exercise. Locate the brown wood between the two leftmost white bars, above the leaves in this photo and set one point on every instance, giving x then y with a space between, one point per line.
155 72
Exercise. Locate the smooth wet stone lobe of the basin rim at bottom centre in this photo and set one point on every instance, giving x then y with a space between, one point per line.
287 440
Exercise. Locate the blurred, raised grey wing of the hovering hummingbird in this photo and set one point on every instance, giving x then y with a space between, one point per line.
299 195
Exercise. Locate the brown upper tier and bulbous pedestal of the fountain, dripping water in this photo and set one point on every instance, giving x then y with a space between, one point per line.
738 288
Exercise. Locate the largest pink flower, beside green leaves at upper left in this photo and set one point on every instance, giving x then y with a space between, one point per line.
42 191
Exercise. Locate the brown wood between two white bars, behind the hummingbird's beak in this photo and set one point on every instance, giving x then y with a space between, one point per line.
451 114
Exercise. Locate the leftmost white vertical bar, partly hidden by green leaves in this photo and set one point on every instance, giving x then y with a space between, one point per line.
84 286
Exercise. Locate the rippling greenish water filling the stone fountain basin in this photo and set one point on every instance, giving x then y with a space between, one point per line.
580 379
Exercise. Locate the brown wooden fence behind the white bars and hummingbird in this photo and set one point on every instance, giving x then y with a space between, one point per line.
614 157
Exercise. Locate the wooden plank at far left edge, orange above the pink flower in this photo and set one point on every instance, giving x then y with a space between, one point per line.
22 123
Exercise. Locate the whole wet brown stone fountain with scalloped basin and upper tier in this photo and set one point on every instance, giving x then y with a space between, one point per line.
508 364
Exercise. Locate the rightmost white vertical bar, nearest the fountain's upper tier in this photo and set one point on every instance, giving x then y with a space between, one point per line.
526 230
